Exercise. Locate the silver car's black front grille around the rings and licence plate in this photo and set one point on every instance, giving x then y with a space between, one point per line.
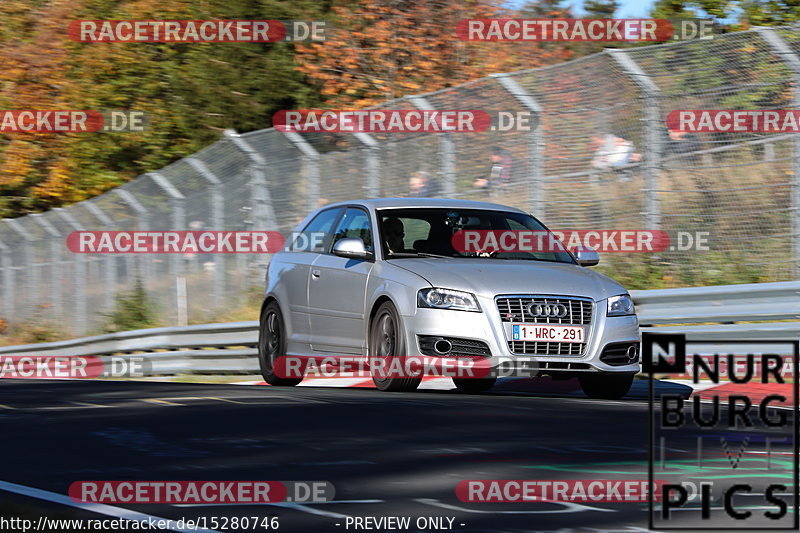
515 309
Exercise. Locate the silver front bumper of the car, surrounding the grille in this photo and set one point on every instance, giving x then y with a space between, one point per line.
488 327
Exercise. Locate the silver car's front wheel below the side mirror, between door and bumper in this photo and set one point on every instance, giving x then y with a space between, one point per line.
386 340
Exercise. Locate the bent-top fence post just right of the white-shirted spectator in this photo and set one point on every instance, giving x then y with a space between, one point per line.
653 135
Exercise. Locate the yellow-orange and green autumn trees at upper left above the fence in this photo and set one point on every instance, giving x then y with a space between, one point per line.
191 91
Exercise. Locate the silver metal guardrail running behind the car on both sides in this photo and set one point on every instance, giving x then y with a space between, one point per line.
231 347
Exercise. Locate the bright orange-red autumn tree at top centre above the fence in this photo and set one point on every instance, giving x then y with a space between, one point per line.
385 49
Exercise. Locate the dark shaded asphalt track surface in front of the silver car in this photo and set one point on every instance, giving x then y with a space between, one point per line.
388 454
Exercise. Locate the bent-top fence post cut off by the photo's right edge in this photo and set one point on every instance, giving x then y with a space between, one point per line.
792 61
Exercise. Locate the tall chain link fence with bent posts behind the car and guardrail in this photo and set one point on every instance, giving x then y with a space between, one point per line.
741 188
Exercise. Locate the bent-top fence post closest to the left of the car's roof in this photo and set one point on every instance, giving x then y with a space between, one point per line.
262 213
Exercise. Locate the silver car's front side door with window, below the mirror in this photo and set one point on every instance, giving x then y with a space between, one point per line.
337 290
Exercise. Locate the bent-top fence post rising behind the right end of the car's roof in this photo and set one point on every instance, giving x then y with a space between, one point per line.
535 181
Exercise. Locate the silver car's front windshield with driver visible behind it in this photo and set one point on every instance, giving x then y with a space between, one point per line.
428 232
